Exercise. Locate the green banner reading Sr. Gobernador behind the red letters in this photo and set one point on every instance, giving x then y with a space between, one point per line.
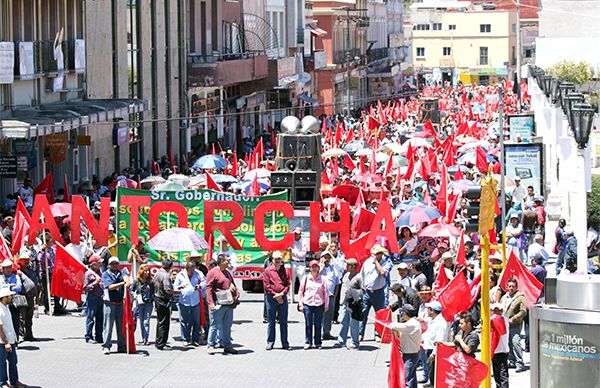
251 255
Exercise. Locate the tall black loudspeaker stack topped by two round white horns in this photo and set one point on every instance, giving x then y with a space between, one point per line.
298 159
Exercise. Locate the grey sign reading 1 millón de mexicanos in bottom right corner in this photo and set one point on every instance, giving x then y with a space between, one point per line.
568 353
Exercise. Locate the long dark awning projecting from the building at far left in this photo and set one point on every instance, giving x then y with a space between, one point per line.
56 118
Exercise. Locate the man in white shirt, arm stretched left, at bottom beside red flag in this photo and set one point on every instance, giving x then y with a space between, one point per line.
409 333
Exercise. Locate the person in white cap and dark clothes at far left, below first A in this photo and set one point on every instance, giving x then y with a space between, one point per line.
29 280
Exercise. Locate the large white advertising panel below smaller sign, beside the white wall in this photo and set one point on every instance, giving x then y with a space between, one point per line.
525 161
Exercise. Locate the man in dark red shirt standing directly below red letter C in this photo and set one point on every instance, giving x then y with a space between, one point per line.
276 284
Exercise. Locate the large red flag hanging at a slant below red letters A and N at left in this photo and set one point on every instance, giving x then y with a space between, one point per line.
67 277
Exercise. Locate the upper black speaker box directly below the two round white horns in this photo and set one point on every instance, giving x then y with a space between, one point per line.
298 152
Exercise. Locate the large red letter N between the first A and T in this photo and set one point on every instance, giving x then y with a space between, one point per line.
98 230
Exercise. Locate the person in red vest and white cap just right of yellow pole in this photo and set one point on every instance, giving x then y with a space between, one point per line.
499 327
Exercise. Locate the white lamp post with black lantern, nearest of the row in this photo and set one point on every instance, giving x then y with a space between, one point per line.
580 119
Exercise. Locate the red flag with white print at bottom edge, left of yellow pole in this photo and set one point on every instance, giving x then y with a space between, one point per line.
455 369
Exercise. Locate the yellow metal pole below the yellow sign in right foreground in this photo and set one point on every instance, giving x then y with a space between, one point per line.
486 353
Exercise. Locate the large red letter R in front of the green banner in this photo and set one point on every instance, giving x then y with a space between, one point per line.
225 227
